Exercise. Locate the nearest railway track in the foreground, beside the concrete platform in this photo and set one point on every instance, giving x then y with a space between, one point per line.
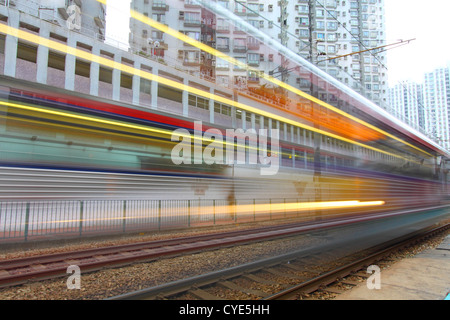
249 279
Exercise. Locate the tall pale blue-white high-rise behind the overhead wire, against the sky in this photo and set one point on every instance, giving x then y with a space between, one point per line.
325 29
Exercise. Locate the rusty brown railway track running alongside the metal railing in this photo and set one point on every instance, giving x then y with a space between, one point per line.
23 270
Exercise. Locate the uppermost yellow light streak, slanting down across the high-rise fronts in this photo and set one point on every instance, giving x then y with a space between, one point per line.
176 34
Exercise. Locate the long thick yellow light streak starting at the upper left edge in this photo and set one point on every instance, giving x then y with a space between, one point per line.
24 35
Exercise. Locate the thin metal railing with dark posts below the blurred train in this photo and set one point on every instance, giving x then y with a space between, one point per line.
40 220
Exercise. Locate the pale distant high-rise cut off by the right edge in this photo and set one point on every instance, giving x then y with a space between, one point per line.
437 104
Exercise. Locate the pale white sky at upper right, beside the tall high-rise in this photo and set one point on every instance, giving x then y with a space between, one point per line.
429 22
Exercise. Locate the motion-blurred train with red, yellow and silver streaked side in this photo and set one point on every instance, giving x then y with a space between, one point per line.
58 145
